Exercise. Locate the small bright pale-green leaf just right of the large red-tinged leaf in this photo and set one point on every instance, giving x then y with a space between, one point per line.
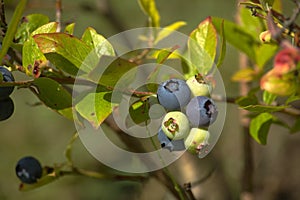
97 42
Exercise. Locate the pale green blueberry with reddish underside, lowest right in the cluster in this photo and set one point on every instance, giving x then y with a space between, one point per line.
197 140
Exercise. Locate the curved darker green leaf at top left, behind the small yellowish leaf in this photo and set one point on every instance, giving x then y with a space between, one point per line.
29 24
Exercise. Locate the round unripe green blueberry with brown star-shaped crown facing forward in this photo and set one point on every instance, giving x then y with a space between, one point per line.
175 125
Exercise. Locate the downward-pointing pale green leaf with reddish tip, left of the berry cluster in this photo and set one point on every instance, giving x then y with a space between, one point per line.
95 107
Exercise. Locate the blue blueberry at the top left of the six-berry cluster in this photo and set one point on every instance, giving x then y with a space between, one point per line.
173 94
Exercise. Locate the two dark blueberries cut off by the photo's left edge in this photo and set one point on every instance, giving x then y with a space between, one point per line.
6 103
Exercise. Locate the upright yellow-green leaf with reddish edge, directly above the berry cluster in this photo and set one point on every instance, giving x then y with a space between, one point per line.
202 46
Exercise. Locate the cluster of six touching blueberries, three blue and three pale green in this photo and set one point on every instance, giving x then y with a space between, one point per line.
190 111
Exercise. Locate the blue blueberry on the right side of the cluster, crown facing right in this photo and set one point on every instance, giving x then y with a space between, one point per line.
201 111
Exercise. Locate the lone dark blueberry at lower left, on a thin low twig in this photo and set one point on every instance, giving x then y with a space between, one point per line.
29 170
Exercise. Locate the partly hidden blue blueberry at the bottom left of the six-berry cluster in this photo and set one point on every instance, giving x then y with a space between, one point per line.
171 145
